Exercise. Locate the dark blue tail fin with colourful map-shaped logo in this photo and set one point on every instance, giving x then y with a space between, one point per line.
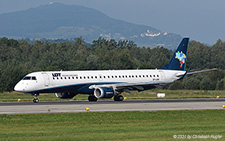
178 61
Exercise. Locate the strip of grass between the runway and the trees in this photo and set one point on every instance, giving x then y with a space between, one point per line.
151 94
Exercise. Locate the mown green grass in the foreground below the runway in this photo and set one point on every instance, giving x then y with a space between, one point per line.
161 125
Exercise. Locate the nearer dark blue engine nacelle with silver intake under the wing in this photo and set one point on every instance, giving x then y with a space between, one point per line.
104 92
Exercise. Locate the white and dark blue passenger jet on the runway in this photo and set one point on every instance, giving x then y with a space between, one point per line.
106 83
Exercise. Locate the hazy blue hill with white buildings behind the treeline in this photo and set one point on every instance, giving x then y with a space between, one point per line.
71 21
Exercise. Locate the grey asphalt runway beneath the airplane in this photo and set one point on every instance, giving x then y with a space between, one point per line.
110 105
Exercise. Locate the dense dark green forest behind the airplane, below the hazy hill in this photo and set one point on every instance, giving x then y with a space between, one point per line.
18 58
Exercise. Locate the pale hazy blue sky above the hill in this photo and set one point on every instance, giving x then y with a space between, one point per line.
201 20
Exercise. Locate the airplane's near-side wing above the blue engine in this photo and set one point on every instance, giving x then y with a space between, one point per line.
132 86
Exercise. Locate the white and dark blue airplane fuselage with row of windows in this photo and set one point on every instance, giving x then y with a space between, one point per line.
79 81
